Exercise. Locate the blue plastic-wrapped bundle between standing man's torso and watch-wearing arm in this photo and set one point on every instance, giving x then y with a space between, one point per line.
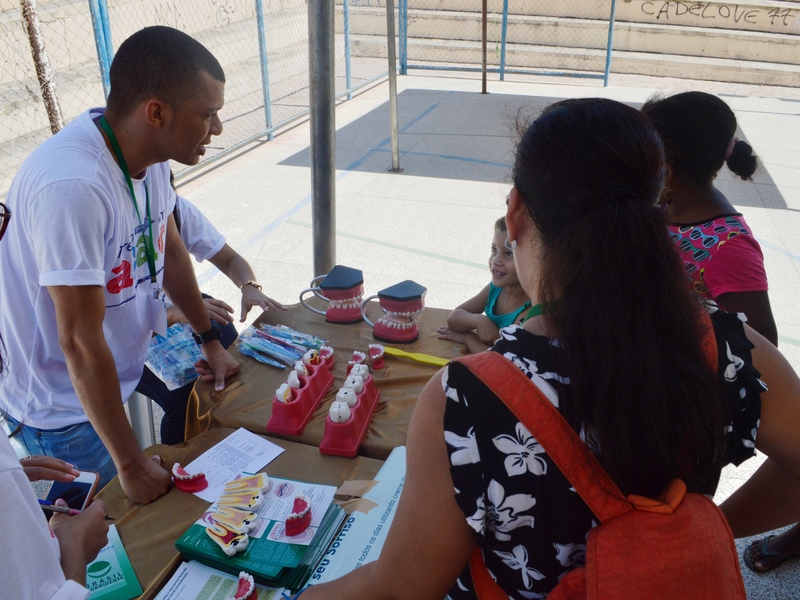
172 358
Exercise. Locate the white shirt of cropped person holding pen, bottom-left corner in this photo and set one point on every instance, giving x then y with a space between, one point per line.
30 557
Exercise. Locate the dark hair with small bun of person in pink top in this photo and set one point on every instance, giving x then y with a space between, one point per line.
697 129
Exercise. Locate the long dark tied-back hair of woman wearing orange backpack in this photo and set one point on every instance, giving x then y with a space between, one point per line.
590 172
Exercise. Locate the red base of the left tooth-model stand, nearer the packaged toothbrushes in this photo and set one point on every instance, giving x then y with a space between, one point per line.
290 418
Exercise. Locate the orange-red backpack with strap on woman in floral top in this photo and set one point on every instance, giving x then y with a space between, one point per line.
678 546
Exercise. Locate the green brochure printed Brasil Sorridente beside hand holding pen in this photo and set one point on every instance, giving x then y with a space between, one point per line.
110 576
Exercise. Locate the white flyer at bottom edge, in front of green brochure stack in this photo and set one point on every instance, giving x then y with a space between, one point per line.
193 581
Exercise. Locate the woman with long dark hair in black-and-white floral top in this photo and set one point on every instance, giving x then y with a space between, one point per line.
617 350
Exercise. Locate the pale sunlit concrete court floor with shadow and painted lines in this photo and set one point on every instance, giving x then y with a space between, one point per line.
433 222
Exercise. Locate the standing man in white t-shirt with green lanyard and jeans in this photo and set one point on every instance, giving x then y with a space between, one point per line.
84 260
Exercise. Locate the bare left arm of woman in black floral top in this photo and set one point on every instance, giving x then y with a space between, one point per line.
429 542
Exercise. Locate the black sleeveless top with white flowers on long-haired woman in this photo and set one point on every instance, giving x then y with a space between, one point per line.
531 525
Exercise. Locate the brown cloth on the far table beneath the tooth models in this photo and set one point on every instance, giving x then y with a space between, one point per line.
247 401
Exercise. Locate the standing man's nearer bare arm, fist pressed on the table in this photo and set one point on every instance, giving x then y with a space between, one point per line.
80 311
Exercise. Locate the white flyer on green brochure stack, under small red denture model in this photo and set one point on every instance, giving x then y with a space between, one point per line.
277 504
